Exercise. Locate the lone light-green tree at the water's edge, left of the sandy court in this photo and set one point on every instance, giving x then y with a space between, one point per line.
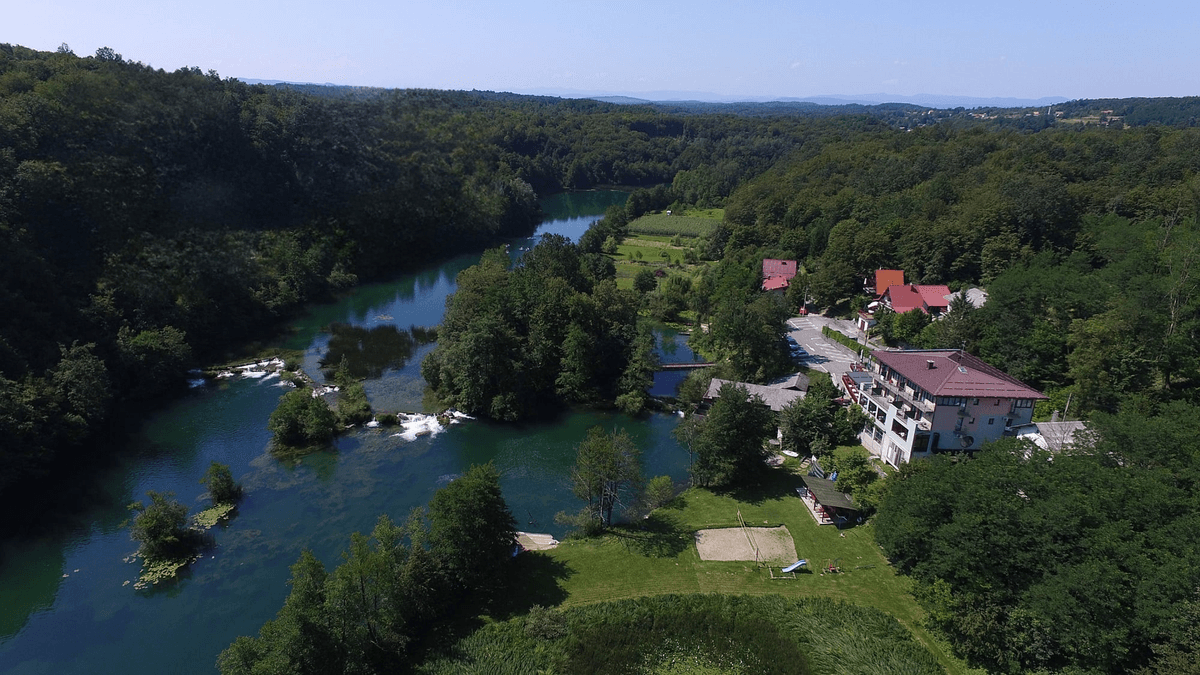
608 474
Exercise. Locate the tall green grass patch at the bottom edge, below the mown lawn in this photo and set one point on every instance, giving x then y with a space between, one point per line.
695 634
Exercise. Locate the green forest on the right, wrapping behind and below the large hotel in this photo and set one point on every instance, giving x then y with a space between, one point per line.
1087 242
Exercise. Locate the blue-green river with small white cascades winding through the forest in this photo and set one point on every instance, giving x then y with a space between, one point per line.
68 604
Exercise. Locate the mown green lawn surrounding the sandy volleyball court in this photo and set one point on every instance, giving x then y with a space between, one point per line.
659 557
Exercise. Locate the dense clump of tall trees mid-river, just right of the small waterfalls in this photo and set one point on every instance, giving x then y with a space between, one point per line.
556 328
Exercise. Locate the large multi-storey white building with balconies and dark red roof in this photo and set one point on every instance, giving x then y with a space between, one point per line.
920 402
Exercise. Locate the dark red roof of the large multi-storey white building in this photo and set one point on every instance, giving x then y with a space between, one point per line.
955 374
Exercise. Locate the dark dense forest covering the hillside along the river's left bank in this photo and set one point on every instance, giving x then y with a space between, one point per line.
151 222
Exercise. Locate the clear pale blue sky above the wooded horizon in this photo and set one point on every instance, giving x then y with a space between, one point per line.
734 49
